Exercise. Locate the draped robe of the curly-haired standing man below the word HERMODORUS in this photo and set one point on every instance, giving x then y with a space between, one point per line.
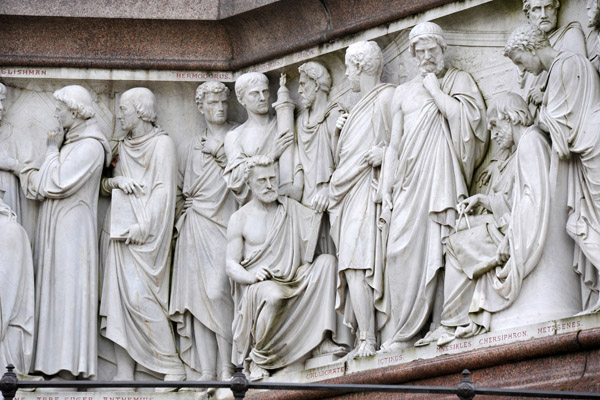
201 287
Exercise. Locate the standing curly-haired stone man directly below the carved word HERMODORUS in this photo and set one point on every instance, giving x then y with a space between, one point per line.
201 303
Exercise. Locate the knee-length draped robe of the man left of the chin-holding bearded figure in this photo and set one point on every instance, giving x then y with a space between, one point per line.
352 208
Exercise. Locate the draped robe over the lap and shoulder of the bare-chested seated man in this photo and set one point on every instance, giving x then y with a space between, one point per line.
280 320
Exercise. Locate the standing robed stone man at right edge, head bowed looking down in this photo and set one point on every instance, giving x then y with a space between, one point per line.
571 115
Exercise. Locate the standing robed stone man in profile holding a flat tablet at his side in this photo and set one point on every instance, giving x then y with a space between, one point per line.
134 303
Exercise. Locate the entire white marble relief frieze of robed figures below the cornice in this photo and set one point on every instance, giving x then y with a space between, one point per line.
367 218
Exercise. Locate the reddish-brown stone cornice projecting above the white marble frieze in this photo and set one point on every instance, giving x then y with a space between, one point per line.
240 34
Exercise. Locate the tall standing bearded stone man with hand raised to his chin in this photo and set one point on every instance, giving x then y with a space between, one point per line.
439 137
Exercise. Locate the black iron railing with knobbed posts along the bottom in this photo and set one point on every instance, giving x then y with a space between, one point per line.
239 385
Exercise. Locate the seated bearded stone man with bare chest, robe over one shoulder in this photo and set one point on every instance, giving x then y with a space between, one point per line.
284 300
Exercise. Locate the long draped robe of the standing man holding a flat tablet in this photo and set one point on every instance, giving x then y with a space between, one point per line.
134 303
